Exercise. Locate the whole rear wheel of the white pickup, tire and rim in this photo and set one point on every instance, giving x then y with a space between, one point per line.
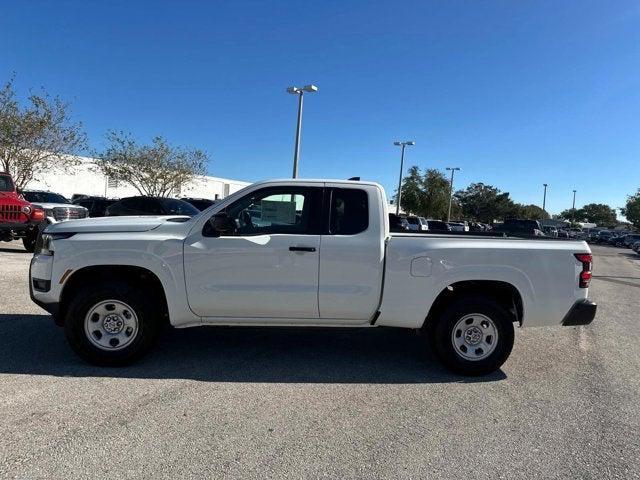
474 336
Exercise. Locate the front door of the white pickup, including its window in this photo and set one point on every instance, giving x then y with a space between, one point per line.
264 267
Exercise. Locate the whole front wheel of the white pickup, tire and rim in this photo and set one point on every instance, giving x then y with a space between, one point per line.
111 324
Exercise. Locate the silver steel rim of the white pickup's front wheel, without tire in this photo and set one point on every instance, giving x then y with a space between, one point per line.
111 325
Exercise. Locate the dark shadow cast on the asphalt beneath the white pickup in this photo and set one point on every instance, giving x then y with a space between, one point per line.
33 345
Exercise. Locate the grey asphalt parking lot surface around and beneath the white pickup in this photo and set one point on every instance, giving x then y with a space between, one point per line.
293 403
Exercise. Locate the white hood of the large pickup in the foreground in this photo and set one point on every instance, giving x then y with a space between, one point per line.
114 224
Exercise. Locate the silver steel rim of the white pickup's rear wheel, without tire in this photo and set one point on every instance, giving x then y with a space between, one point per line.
474 337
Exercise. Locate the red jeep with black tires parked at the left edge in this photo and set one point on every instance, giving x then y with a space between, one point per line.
18 219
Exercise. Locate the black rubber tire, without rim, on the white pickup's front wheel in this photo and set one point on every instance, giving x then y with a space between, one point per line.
148 325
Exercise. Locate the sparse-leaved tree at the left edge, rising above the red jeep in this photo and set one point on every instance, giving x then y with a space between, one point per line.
37 138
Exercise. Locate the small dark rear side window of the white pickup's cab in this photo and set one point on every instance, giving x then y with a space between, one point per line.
349 213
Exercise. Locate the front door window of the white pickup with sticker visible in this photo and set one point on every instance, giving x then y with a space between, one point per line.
292 210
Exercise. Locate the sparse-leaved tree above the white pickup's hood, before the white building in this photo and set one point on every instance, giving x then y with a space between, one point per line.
158 169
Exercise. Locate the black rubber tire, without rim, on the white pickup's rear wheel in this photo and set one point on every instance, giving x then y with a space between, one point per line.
441 331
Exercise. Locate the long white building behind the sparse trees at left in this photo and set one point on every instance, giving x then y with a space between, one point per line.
87 179
